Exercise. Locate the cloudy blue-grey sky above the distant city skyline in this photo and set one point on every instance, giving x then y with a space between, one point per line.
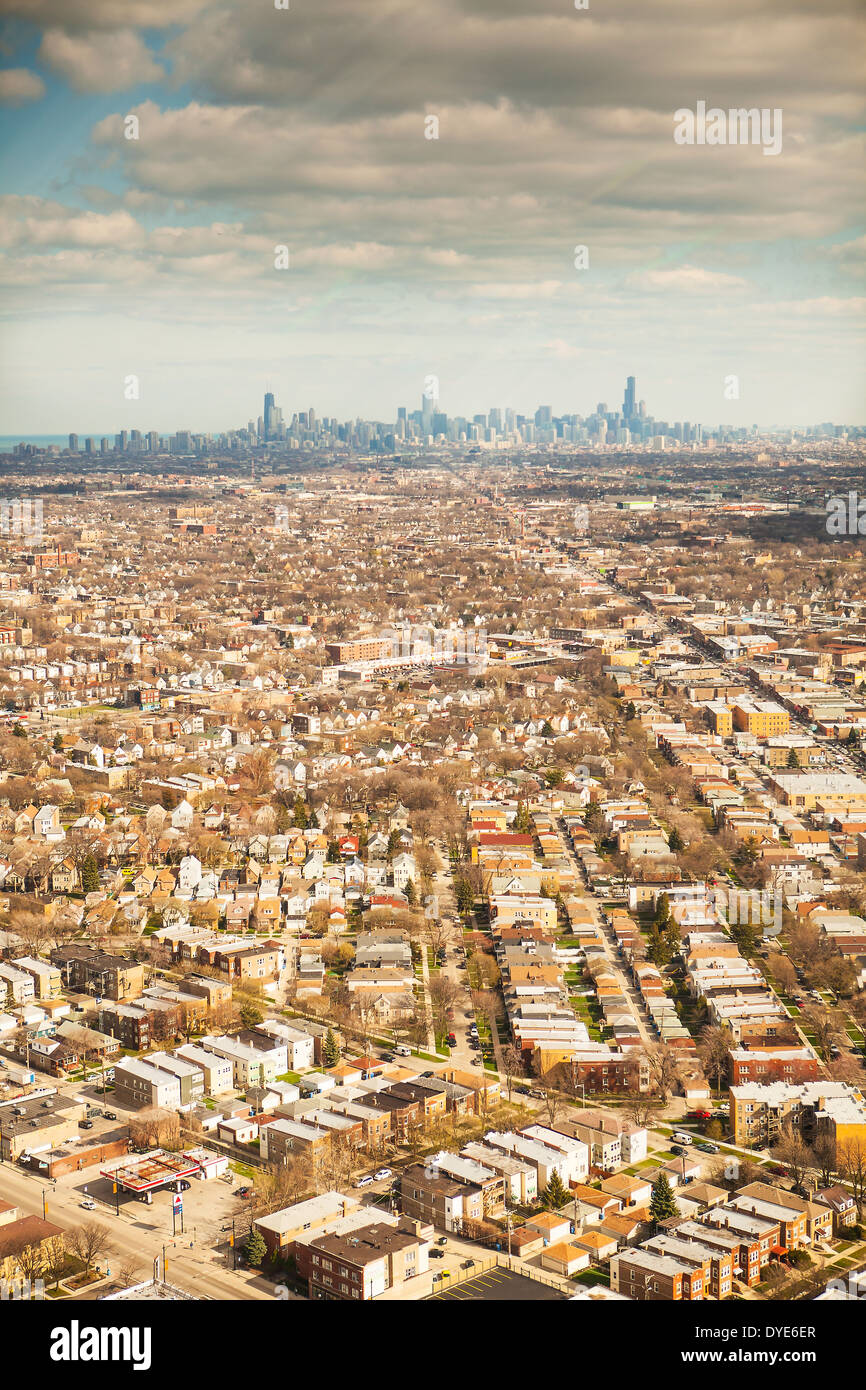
430 170
